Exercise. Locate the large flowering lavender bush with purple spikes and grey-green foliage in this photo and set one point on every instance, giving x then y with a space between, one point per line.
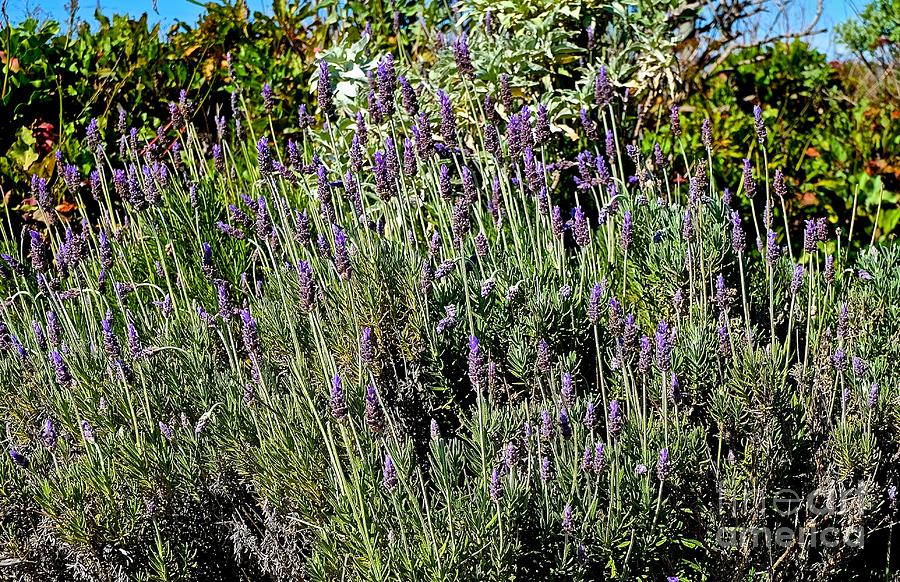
412 340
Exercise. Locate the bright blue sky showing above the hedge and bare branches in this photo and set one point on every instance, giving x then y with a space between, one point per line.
168 11
